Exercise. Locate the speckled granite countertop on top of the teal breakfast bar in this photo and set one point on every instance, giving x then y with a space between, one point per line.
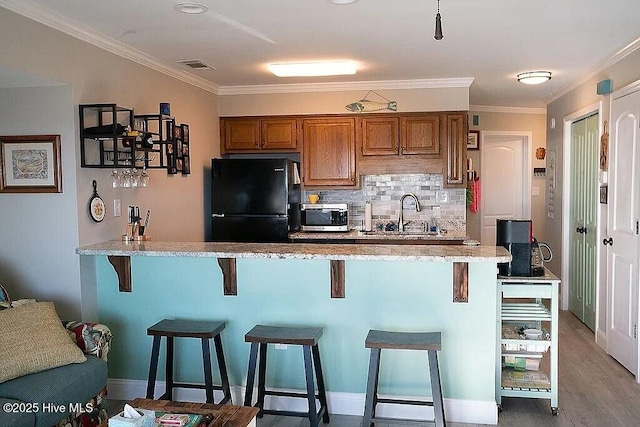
434 253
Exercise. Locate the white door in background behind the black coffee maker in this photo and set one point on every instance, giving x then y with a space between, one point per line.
504 181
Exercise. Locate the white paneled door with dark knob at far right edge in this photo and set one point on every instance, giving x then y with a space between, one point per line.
622 253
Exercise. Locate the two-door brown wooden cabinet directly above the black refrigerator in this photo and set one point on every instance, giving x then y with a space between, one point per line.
240 135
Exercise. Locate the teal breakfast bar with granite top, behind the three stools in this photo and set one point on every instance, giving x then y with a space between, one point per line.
346 289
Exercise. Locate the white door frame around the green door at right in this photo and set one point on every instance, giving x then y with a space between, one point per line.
566 235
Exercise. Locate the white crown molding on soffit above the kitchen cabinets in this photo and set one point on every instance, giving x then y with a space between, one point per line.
464 82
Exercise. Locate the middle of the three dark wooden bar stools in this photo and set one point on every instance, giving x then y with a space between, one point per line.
262 335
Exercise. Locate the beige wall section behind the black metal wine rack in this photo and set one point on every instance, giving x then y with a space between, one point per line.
178 202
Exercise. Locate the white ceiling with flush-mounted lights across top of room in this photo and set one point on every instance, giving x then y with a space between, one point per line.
392 41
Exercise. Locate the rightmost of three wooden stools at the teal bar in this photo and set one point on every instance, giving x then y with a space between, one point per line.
429 341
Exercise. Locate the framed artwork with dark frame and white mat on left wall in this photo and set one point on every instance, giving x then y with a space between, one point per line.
30 164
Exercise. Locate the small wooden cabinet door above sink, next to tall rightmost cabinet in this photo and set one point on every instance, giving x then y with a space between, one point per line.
421 135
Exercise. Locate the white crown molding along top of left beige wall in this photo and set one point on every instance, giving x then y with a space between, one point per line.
76 30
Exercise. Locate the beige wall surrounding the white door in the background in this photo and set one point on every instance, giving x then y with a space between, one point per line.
534 123
